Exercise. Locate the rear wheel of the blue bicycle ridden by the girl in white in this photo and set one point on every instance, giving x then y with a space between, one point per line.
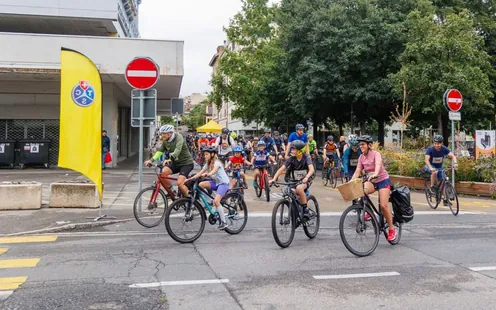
236 213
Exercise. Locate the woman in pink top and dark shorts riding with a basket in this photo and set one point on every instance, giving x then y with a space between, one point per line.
377 180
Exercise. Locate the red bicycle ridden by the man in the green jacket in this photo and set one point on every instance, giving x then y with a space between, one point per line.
152 201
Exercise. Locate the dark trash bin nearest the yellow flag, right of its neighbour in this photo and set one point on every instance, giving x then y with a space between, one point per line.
34 152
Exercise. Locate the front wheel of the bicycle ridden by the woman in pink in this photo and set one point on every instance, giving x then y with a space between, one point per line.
352 219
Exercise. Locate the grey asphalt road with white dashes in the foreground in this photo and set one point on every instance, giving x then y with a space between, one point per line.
439 264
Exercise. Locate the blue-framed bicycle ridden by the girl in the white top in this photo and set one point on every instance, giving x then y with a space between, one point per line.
195 207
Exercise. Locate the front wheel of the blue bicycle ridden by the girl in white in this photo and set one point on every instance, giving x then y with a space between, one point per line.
179 213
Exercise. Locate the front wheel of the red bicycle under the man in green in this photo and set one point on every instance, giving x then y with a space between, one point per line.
151 214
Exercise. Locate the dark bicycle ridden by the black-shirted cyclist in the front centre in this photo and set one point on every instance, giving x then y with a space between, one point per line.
294 217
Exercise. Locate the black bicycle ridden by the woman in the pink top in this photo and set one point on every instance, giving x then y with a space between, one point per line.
363 217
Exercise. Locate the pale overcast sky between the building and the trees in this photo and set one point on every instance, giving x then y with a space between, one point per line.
196 22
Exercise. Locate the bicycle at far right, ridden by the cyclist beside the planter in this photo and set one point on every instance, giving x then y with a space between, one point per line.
442 188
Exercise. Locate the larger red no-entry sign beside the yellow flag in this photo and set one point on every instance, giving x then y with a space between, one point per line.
142 73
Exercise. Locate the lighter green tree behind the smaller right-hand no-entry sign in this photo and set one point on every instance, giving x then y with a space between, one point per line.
442 54
